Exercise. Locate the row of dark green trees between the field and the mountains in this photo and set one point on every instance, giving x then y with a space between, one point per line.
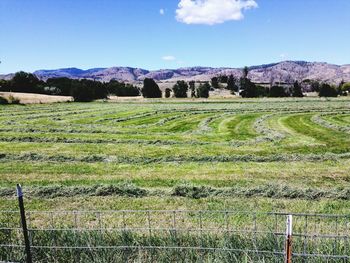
88 90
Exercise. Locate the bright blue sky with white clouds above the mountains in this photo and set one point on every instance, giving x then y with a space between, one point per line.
48 34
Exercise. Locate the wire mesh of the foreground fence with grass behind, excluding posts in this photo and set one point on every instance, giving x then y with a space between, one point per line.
173 236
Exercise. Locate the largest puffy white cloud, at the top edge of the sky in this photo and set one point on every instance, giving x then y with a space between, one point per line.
210 12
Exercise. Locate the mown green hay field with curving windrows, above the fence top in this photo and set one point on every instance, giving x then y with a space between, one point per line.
263 154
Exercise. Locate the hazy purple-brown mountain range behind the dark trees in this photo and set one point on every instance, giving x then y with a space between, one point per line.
285 71
